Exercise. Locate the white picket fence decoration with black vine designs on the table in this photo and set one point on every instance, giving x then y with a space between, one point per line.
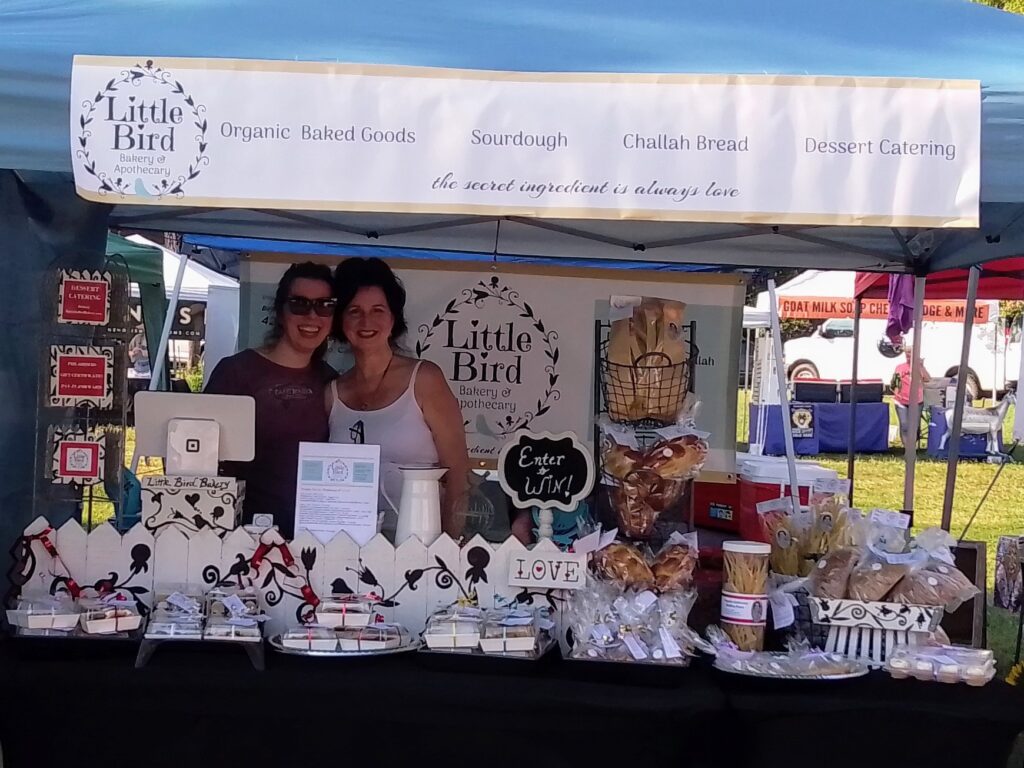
412 581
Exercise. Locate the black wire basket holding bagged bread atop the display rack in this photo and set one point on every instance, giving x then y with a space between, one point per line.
649 394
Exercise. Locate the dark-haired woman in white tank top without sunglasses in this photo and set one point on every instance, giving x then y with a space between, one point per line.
402 405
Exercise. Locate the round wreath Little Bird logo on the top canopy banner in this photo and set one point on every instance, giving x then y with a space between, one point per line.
143 135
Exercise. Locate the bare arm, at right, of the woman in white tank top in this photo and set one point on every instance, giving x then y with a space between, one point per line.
444 417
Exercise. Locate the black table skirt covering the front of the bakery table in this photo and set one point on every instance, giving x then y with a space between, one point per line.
207 707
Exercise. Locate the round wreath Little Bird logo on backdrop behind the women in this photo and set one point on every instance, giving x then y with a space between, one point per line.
500 358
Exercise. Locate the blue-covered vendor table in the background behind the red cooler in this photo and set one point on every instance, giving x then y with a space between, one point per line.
832 429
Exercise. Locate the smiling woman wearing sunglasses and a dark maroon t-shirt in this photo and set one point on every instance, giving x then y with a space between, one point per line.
286 377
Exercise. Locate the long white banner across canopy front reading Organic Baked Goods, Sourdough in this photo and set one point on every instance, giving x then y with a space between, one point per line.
674 148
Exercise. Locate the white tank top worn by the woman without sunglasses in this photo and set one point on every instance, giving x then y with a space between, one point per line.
399 429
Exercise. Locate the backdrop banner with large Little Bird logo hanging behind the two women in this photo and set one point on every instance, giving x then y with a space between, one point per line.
518 343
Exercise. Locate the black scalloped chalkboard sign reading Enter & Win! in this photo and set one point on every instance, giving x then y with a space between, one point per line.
549 472
